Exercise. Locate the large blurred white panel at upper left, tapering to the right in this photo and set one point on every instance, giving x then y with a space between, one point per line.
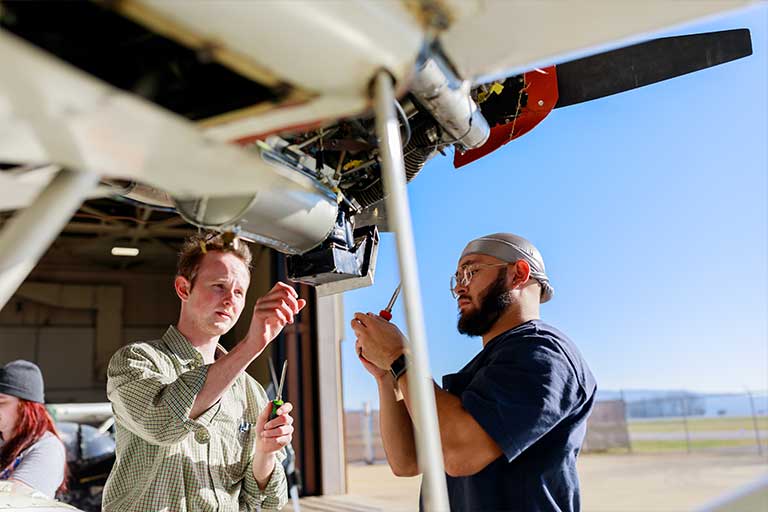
82 123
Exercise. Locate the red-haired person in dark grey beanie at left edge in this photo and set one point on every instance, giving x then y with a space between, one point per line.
31 452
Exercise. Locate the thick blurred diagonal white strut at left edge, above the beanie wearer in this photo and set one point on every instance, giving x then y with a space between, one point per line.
27 236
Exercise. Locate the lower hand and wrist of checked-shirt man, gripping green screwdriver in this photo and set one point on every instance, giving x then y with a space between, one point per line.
272 436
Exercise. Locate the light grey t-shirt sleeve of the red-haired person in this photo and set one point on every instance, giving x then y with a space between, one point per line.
42 467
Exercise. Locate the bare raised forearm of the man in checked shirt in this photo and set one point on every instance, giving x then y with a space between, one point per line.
221 375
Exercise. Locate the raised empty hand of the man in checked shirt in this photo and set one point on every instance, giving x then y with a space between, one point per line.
273 312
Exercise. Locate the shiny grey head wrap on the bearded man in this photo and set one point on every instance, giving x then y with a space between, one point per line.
511 248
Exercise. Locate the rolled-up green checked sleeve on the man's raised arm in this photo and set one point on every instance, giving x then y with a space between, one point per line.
150 403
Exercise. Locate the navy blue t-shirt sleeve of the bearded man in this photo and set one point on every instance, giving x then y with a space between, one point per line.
521 394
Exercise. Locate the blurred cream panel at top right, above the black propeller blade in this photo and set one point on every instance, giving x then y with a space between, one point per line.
516 36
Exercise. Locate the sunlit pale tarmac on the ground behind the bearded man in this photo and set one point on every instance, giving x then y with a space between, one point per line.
610 483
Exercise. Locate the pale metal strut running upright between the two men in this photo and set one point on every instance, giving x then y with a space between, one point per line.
428 447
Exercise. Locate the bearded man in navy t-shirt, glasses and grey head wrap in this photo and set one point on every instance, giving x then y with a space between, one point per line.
512 421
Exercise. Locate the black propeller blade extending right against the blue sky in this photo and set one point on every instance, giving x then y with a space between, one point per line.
647 63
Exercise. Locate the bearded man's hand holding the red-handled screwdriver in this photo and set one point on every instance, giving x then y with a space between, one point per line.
378 341
